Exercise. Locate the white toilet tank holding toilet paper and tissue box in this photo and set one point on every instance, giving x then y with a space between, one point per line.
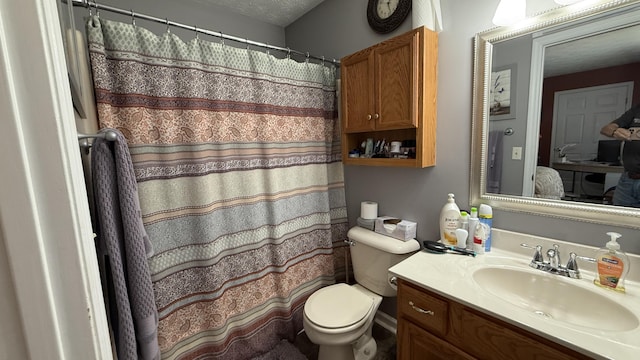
372 255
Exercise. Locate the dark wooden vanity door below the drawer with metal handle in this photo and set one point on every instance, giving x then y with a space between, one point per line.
419 344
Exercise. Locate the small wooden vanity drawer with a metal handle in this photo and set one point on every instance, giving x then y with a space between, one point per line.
426 310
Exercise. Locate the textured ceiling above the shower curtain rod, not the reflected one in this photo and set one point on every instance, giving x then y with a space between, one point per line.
276 12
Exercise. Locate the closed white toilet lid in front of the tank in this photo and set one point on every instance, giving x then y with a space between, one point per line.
337 306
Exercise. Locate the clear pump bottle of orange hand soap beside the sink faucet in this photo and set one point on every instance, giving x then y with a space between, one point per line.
612 265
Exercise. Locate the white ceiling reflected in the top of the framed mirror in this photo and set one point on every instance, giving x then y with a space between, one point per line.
608 49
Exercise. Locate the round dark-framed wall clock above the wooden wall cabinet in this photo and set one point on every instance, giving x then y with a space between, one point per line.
385 16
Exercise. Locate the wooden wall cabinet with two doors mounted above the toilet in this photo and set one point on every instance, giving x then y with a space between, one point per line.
389 92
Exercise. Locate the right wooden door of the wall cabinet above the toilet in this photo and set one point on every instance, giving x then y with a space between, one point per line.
397 85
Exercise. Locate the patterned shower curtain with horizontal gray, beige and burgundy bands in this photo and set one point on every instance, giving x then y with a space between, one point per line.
237 160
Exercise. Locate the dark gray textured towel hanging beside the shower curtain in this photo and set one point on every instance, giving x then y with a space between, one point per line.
122 237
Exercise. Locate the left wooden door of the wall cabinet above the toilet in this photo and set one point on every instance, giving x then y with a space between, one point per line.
357 81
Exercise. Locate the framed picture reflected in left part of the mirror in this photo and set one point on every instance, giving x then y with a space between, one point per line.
502 93
